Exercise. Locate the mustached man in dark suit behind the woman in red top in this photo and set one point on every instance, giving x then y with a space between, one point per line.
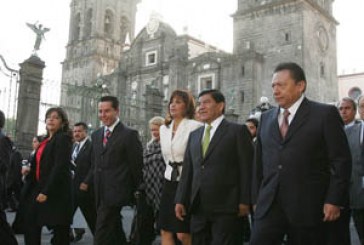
81 165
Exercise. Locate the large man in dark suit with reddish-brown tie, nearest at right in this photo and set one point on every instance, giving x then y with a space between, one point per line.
302 167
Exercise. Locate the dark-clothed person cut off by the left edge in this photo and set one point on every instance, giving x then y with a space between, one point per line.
5 150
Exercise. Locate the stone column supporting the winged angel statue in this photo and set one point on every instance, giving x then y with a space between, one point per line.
31 74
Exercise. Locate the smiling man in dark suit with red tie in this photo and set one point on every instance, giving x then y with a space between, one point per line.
117 157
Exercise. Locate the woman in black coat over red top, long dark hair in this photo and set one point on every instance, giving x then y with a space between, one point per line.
50 199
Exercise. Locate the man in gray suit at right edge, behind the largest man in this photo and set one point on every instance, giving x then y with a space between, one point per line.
354 133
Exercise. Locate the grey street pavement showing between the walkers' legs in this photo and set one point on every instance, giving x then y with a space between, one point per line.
127 219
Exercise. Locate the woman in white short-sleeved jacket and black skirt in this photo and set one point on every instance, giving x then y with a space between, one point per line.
173 139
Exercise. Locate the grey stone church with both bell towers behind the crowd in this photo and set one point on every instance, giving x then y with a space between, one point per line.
142 74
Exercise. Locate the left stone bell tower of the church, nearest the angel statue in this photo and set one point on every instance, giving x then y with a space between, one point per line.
97 33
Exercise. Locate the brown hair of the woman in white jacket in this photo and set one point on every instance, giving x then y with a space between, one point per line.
189 101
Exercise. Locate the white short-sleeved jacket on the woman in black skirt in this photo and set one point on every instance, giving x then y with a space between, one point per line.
173 150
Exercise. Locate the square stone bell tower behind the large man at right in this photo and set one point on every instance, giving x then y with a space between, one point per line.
290 30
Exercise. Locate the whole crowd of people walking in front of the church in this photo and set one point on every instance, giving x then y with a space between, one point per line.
293 176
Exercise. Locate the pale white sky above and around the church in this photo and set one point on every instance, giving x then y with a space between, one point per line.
213 26
